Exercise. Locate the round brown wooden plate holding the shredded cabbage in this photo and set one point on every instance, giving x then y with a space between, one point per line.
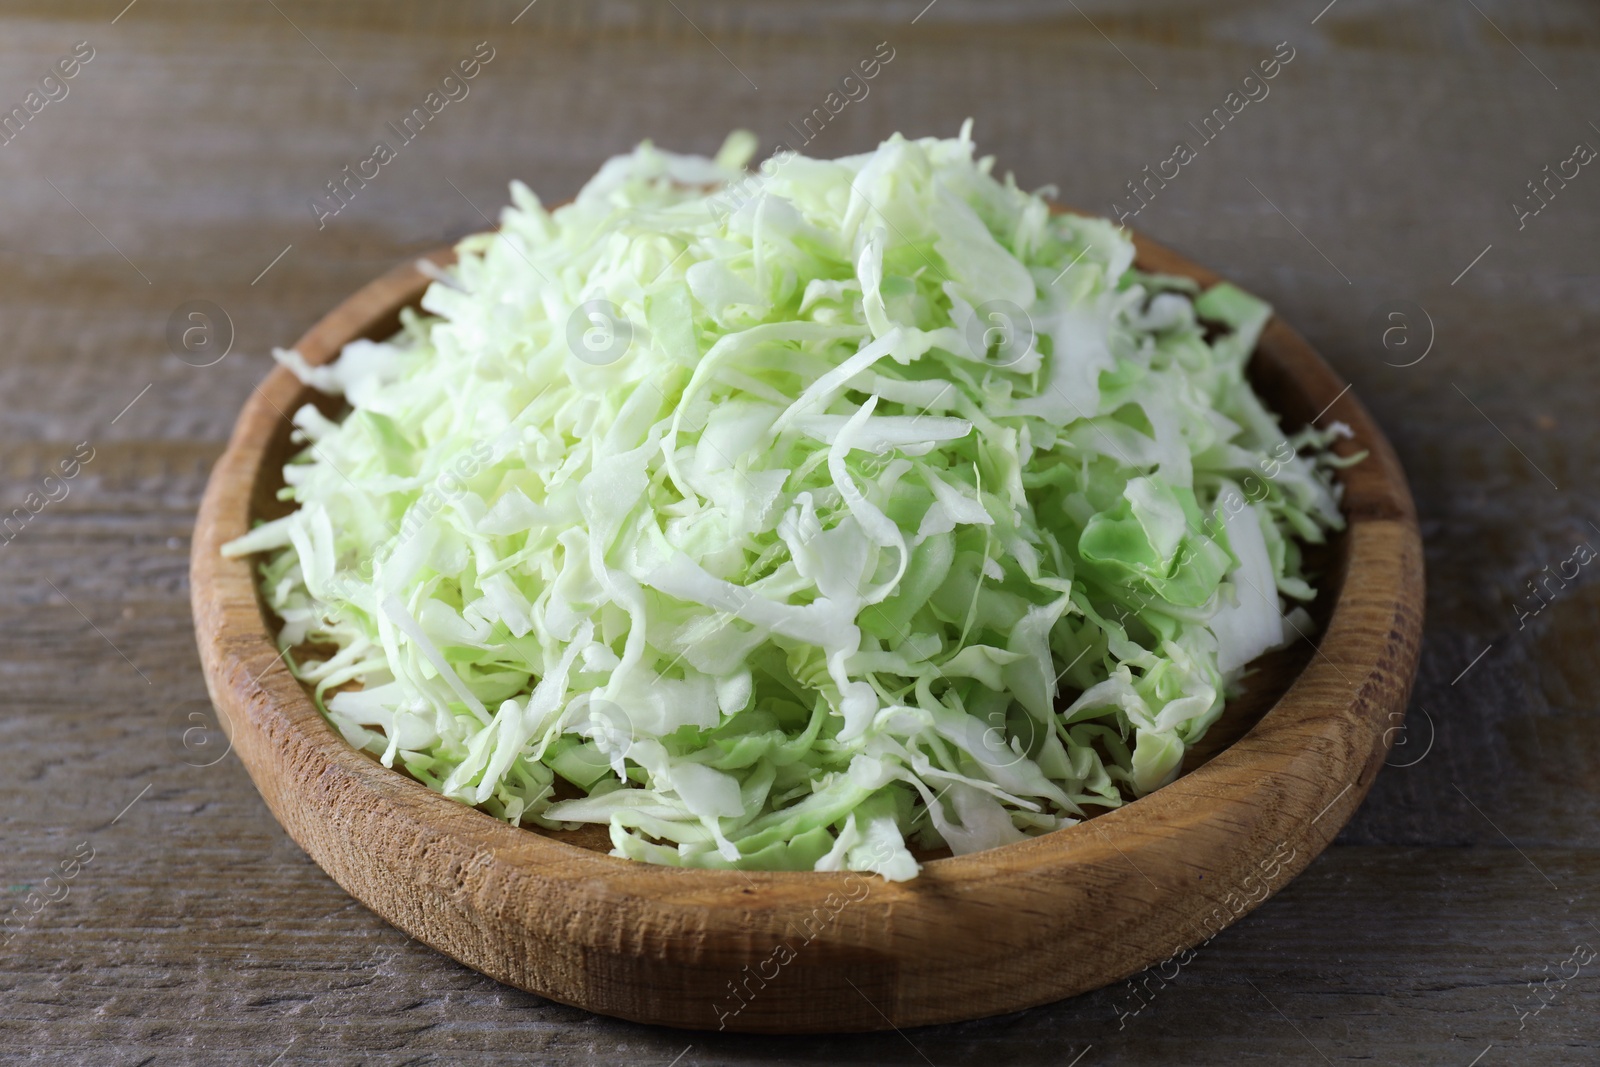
804 953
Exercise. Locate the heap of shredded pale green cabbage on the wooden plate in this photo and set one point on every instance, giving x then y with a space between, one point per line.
794 521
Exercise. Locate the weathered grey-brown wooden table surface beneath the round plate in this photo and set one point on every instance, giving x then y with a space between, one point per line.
1369 196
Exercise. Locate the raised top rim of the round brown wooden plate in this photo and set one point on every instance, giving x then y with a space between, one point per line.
1321 722
